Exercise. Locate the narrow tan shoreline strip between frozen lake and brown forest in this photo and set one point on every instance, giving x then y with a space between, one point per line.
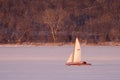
61 44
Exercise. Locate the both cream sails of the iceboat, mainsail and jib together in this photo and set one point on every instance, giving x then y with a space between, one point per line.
76 56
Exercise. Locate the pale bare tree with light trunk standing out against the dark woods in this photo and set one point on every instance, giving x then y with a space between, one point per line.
53 18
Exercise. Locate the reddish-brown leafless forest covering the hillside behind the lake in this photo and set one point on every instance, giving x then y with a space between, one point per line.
44 21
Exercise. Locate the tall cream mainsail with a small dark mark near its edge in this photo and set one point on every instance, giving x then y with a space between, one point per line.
77 52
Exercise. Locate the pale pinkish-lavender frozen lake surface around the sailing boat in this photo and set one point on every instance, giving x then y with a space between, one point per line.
48 63
